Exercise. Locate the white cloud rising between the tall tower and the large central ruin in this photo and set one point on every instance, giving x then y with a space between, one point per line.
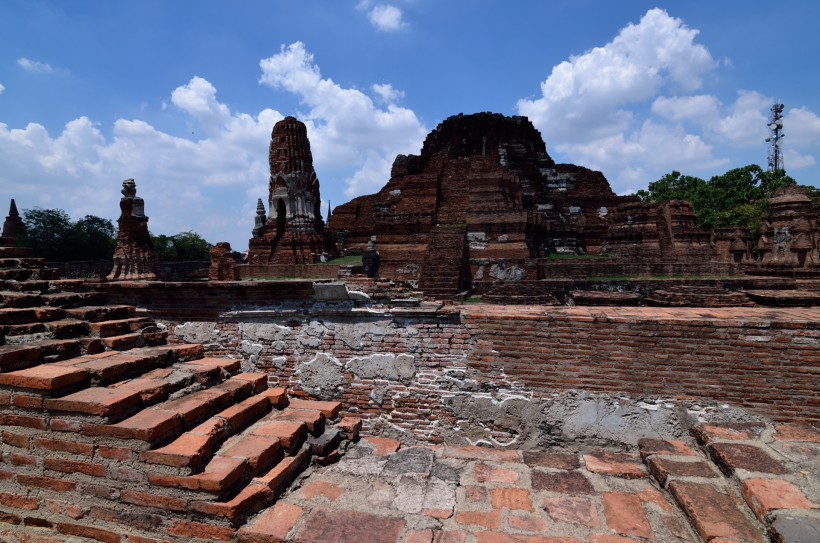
345 127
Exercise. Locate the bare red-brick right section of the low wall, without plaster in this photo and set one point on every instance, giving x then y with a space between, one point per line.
756 358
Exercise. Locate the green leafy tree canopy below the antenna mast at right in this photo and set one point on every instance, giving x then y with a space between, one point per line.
737 198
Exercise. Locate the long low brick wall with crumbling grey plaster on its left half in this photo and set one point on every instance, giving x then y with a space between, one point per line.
491 373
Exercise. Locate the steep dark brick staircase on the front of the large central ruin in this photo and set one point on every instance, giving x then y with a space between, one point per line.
442 269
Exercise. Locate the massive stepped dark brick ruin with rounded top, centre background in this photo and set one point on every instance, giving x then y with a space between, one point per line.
483 202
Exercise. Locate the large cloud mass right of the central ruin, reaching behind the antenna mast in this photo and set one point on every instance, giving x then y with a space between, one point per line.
635 108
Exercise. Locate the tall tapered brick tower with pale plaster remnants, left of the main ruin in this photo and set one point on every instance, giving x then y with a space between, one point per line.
291 233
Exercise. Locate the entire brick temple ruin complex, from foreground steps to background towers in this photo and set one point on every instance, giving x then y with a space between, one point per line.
366 404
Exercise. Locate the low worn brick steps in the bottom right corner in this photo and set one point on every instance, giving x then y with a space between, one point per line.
743 483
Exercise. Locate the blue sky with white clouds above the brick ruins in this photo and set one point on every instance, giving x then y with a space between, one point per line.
182 95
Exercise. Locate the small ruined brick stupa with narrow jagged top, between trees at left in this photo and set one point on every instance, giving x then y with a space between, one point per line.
135 257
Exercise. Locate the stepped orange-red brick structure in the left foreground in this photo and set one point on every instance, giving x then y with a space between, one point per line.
109 434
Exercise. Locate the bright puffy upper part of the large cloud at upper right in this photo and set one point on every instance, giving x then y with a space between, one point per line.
587 95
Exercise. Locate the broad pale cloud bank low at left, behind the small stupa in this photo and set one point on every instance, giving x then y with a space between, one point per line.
186 183
